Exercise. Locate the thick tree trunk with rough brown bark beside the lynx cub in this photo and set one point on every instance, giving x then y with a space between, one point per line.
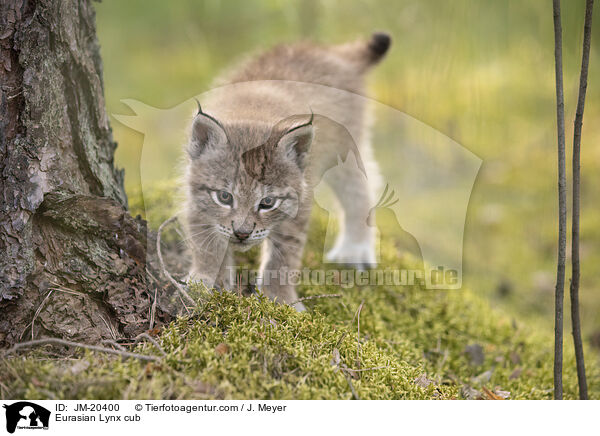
72 260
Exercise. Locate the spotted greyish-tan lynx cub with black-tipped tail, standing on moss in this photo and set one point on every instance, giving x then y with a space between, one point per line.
257 151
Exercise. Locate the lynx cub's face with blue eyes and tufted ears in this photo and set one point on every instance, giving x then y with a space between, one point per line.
244 179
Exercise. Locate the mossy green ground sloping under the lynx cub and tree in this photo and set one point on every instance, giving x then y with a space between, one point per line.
413 344
